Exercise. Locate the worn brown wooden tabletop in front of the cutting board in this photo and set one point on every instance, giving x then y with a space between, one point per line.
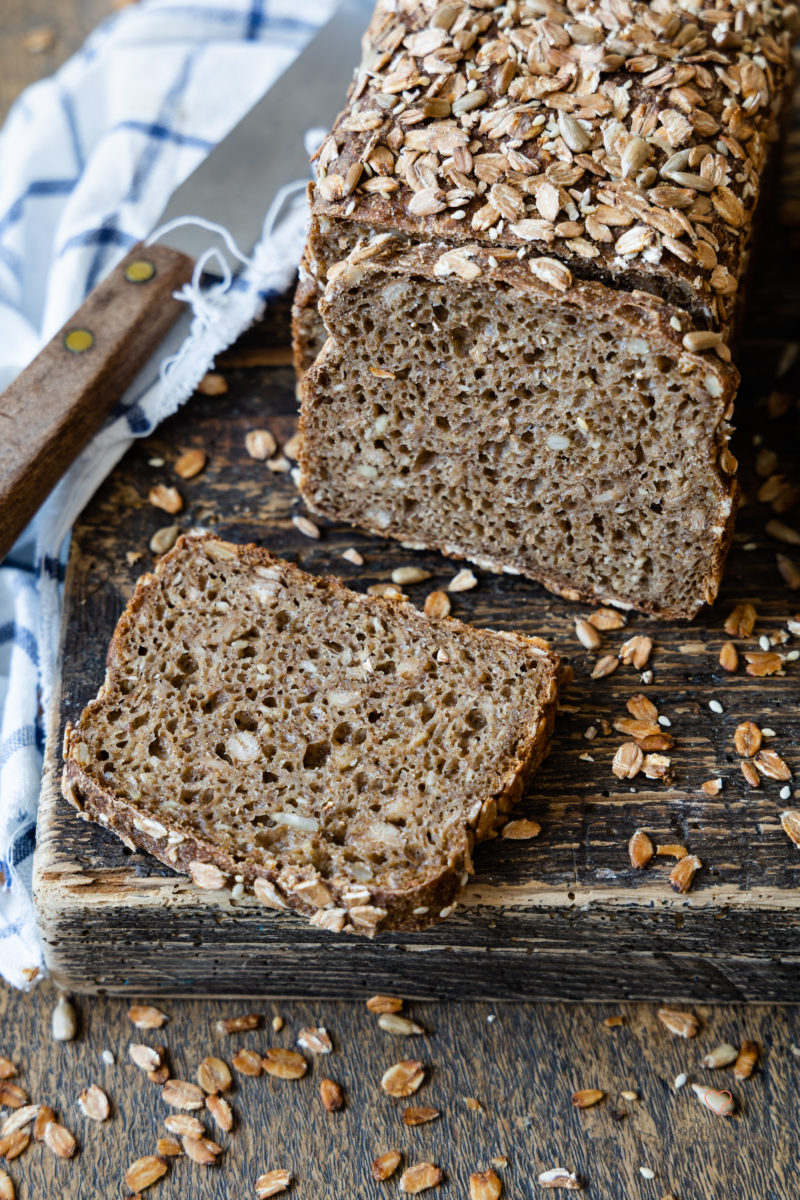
522 1063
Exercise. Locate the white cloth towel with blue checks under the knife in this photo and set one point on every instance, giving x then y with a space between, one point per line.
88 160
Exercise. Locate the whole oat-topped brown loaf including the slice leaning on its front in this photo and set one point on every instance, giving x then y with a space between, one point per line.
531 230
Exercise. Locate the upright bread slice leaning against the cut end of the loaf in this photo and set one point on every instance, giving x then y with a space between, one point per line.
531 424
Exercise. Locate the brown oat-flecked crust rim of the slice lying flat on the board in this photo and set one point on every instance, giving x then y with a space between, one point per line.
388 910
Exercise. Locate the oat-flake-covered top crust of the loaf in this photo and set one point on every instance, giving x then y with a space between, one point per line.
628 140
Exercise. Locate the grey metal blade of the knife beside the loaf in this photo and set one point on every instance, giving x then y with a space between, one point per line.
234 185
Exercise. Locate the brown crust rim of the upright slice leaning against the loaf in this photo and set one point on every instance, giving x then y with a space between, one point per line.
645 315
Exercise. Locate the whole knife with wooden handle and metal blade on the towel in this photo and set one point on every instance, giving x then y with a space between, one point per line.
62 399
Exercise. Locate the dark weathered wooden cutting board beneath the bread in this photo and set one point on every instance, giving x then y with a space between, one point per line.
563 916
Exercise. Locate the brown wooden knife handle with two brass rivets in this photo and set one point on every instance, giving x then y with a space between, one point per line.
62 399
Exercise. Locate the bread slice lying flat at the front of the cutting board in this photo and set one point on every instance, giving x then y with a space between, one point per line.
334 753
